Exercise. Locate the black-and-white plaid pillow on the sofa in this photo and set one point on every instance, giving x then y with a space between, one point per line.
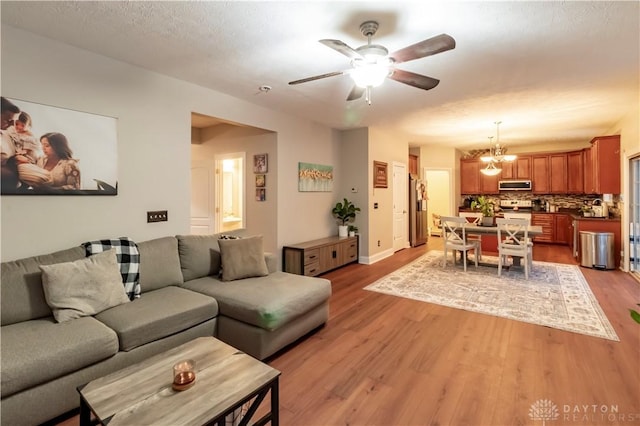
128 259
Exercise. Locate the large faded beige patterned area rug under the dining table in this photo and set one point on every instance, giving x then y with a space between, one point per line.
555 295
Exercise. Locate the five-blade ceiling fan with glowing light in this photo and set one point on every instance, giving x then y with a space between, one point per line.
372 63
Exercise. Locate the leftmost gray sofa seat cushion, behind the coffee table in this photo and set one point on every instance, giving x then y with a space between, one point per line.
37 351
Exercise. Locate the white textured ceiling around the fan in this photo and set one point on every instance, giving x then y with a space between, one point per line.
550 71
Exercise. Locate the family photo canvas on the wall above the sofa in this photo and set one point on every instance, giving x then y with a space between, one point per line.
48 150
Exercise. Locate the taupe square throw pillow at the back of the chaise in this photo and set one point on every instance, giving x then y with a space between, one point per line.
242 258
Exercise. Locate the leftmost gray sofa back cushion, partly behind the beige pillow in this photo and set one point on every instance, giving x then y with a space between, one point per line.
22 296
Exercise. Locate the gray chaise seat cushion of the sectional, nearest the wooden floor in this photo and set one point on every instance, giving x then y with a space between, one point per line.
268 302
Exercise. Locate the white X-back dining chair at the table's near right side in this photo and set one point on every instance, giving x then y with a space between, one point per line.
513 240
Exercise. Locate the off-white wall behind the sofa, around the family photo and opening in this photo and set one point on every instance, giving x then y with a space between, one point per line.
154 135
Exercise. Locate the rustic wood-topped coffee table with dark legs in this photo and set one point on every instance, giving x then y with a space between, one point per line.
141 394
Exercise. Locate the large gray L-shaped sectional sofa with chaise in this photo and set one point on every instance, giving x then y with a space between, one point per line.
182 297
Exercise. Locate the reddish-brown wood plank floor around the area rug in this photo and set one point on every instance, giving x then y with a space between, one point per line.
385 360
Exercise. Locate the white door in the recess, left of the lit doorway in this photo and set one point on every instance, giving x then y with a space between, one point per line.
202 198
